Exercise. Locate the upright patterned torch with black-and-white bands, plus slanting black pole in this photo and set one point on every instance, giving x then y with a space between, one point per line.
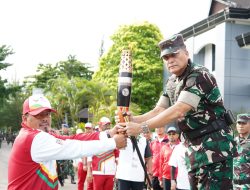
123 98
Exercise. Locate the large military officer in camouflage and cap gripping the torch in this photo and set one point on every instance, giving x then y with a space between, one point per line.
192 98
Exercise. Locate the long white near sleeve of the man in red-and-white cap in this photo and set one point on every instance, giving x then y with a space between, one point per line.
46 147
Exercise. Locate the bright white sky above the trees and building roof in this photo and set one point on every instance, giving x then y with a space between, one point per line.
48 31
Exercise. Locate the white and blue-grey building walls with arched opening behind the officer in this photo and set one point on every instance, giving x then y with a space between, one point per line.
232 63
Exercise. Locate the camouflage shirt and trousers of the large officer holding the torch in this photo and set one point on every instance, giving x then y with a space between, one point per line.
209 157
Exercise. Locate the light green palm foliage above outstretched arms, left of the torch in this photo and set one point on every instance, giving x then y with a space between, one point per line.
77 93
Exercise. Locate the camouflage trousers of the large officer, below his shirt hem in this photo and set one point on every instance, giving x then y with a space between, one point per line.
216 176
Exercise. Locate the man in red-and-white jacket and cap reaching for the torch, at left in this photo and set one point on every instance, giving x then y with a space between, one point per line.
32 161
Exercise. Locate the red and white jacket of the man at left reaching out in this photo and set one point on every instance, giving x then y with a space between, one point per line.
32 162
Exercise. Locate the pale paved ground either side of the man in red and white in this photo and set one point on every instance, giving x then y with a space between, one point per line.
4 156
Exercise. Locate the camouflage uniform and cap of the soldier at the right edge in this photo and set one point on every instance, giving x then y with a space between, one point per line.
242 162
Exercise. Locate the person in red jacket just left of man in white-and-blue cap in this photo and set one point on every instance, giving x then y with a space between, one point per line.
155 146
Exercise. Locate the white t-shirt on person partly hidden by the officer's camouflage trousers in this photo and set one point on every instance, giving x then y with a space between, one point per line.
177 160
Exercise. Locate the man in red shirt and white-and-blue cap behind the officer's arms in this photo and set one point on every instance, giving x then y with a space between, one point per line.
165 154
